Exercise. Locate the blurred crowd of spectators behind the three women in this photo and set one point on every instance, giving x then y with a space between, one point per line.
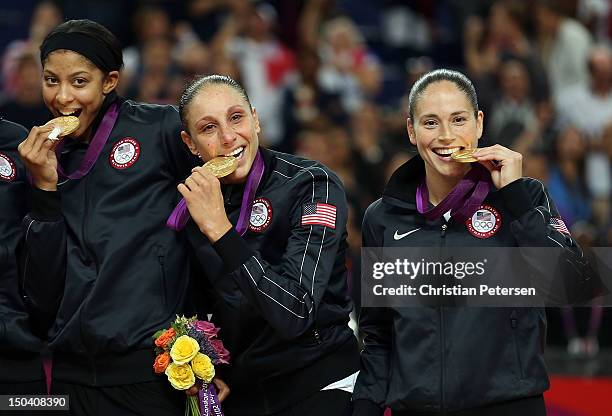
330 79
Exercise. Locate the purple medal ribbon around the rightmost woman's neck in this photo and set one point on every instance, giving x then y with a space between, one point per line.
464 199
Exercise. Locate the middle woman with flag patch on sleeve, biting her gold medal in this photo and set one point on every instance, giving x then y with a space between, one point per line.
271 239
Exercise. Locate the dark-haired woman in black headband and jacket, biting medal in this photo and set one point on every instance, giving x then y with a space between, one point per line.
101 270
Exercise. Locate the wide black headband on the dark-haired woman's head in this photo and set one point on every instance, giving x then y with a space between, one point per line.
90 47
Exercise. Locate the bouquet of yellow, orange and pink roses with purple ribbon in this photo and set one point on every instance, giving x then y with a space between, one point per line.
187 353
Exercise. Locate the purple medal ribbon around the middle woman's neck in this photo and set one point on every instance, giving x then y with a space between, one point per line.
180 215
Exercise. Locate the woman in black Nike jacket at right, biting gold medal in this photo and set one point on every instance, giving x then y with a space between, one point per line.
458 360
